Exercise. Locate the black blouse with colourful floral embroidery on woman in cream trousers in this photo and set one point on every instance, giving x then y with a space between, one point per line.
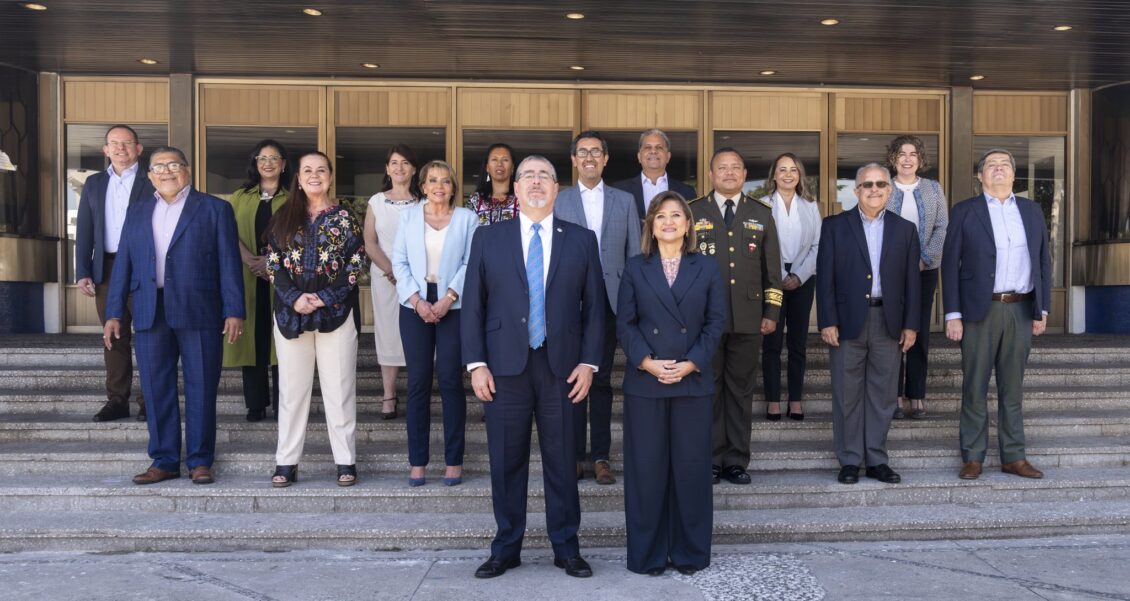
326 259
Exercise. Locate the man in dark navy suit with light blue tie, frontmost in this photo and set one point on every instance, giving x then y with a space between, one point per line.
534 317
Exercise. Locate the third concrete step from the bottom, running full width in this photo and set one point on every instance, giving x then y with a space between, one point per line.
65 459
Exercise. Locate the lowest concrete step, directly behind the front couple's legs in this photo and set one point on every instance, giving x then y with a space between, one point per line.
215 532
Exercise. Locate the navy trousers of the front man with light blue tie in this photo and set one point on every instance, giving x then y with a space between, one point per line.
535 396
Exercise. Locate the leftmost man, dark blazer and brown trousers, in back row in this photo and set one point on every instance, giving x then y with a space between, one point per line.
107 196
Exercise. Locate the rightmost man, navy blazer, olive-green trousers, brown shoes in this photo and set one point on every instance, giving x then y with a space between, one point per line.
996 274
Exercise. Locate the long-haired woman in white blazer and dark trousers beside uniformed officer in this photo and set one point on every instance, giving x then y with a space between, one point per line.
798 223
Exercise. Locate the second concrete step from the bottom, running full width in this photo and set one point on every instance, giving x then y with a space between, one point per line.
317 493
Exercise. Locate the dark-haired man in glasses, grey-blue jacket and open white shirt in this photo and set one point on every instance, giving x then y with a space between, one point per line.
612 215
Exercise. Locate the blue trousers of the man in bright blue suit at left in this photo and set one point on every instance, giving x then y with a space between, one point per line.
201 354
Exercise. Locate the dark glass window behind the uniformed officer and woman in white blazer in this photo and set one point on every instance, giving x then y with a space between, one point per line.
761 149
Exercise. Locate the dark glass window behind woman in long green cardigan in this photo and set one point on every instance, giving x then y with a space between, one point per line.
227 150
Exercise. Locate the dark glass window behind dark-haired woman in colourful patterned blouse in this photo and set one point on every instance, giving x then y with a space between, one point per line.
553 145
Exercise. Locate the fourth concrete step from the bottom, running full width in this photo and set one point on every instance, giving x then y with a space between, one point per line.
30 428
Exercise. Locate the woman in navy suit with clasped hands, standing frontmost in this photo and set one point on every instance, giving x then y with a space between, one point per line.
671 317
